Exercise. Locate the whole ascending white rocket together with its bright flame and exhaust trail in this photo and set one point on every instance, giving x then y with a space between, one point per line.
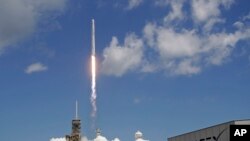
93 72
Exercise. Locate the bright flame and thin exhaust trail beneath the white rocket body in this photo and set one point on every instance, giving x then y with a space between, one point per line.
93 86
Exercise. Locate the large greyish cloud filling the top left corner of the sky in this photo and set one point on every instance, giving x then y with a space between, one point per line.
20 18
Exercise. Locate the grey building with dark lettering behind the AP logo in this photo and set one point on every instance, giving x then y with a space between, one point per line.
220 132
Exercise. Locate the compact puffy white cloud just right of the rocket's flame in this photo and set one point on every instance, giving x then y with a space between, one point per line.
119 59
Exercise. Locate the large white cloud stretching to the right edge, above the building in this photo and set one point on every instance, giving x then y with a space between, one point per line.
186 52
